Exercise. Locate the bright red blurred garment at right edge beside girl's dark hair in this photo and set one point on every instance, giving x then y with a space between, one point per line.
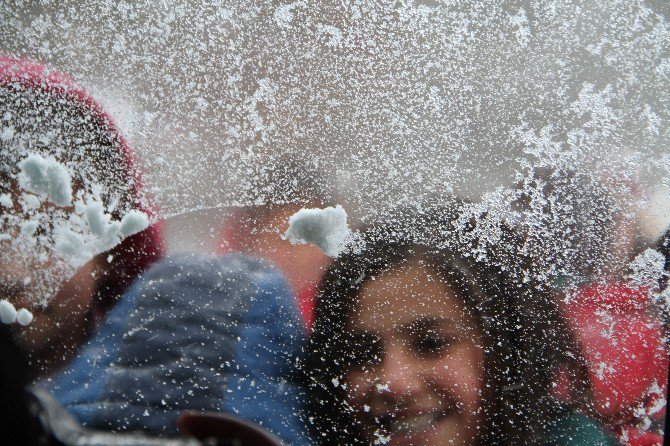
622 344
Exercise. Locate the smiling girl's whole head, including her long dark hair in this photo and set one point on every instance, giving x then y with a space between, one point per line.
415 344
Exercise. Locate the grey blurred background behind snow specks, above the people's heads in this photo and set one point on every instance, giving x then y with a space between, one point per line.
393 104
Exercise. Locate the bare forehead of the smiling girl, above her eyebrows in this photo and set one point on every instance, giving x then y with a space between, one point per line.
402 296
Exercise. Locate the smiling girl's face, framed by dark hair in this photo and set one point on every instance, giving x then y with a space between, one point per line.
419 377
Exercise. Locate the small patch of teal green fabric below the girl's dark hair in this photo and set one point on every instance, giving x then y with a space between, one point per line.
576 429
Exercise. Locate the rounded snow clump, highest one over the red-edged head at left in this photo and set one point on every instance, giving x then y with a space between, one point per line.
46 177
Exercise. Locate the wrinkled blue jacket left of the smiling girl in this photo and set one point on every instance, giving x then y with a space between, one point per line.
195 332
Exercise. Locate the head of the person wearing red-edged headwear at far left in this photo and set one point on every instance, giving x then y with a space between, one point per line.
47 118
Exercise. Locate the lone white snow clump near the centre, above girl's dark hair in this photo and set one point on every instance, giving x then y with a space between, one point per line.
326 228
